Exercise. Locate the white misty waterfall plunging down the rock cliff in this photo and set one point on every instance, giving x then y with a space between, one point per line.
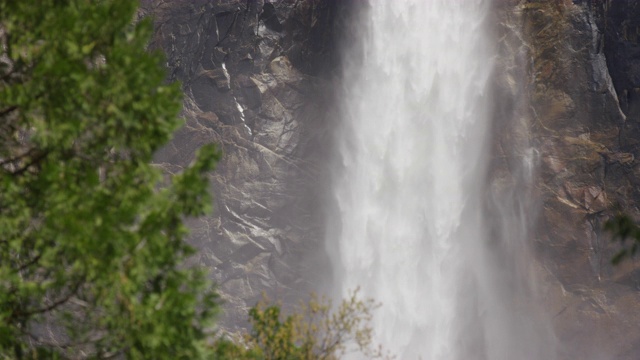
410 226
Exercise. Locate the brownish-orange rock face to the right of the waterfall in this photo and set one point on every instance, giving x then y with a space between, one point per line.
568 73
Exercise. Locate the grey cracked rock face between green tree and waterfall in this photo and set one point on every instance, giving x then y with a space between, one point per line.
256 77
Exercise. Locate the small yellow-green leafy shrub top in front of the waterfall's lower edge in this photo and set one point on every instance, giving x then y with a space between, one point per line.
315 331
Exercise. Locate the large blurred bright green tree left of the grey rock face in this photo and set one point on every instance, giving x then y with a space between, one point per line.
91 234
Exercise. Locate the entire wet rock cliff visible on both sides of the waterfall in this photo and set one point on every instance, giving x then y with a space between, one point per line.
258 79
